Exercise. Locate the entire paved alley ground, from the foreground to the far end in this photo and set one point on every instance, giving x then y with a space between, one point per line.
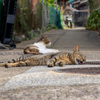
86 87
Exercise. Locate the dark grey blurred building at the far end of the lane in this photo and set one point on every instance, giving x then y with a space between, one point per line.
80 17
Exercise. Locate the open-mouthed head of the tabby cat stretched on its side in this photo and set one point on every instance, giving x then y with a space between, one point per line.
78 56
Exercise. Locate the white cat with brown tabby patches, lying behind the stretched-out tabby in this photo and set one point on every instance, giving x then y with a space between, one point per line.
39 47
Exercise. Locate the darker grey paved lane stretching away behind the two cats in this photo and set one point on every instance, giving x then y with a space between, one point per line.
67 39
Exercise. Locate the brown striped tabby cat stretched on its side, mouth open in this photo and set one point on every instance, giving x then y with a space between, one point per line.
54 59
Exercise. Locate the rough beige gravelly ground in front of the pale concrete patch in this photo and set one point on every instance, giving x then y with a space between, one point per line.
76 92
